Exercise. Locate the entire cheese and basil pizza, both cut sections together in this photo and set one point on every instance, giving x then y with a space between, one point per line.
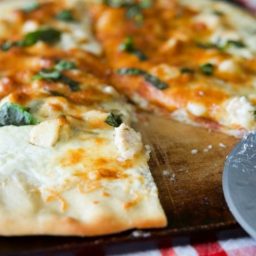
70 161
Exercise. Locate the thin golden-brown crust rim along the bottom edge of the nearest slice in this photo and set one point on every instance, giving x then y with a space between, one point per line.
65 226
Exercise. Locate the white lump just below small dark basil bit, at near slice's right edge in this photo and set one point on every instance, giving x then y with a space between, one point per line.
127 141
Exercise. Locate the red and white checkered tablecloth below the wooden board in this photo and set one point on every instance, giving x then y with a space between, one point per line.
224 243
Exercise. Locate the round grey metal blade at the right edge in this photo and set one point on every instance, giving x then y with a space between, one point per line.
239 183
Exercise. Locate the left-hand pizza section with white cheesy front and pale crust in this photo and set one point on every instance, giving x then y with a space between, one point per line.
70 163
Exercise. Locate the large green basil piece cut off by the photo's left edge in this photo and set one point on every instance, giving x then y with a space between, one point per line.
14 114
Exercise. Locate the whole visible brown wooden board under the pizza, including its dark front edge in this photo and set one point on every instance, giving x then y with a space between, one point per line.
187 164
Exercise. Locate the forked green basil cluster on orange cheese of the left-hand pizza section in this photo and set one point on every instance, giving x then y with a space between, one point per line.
55 74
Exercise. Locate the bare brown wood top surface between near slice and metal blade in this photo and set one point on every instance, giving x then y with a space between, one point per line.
187 164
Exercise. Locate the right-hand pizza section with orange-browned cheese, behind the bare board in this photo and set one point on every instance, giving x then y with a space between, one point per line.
193 60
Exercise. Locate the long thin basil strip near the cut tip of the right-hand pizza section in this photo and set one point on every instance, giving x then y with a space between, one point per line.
153 80
